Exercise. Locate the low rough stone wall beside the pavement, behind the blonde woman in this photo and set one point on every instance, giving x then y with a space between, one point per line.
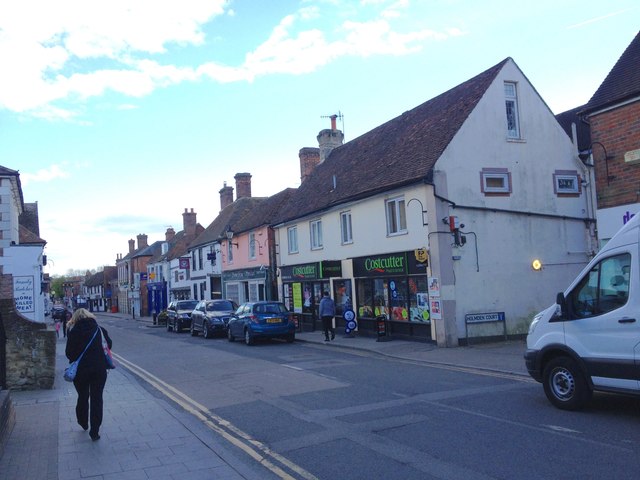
30 347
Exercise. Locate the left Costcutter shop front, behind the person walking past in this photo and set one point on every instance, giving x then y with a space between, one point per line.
303 286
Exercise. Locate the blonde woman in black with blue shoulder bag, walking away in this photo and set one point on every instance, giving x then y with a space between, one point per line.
92 369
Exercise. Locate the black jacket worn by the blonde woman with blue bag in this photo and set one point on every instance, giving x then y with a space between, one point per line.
93 360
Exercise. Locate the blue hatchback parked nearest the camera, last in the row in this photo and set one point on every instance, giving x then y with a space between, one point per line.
261 319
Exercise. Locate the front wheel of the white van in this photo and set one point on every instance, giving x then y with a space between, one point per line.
565 385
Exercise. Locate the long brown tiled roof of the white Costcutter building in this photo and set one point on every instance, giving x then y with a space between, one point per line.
399 152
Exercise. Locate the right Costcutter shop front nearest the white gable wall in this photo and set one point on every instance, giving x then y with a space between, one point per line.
394 286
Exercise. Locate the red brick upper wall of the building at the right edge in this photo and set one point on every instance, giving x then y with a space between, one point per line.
619 131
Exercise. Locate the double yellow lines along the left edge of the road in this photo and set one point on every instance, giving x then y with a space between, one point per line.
255 449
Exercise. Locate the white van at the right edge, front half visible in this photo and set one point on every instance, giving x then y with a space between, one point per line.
590 339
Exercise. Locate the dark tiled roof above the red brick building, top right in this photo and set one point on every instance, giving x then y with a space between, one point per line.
623 81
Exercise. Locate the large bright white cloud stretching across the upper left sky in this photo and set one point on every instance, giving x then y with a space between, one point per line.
73 50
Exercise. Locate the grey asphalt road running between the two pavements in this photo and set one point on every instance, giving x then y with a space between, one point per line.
310 412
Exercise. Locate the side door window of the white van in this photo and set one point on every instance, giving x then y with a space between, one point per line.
603 289
